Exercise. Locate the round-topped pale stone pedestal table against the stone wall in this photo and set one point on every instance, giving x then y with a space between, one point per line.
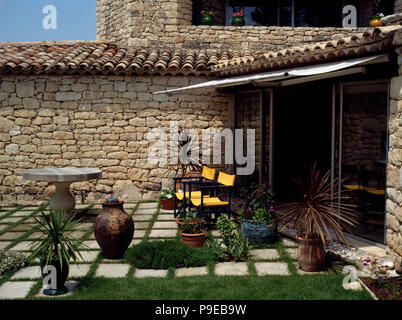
62 179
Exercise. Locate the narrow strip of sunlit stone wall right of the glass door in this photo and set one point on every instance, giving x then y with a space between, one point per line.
394 180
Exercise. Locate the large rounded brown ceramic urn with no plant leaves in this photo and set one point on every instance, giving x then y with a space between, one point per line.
113 229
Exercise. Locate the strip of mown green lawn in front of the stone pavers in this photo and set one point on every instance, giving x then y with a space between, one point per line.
306 287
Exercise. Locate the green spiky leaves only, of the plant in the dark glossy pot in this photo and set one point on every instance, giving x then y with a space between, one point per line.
56 241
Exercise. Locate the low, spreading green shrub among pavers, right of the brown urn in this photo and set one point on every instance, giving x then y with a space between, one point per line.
168 253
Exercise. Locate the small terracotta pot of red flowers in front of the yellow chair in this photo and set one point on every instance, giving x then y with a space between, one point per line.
192 231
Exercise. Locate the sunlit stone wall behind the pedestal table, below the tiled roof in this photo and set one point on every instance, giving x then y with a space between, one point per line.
94 121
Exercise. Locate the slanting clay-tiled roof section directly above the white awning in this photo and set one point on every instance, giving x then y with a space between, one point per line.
366 43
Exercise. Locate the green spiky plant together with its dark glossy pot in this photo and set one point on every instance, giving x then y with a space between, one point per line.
55 247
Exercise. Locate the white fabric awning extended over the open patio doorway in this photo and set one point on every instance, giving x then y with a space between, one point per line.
314 70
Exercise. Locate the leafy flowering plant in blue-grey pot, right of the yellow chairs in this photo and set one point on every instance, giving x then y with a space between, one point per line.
258 213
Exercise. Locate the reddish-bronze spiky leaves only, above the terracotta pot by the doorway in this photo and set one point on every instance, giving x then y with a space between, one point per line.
322 209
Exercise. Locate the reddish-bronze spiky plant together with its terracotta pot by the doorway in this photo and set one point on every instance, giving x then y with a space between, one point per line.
322 210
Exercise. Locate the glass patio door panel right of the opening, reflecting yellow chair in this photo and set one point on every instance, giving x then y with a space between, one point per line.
361 157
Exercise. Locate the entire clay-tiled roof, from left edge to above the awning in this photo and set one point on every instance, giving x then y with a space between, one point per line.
105 57
